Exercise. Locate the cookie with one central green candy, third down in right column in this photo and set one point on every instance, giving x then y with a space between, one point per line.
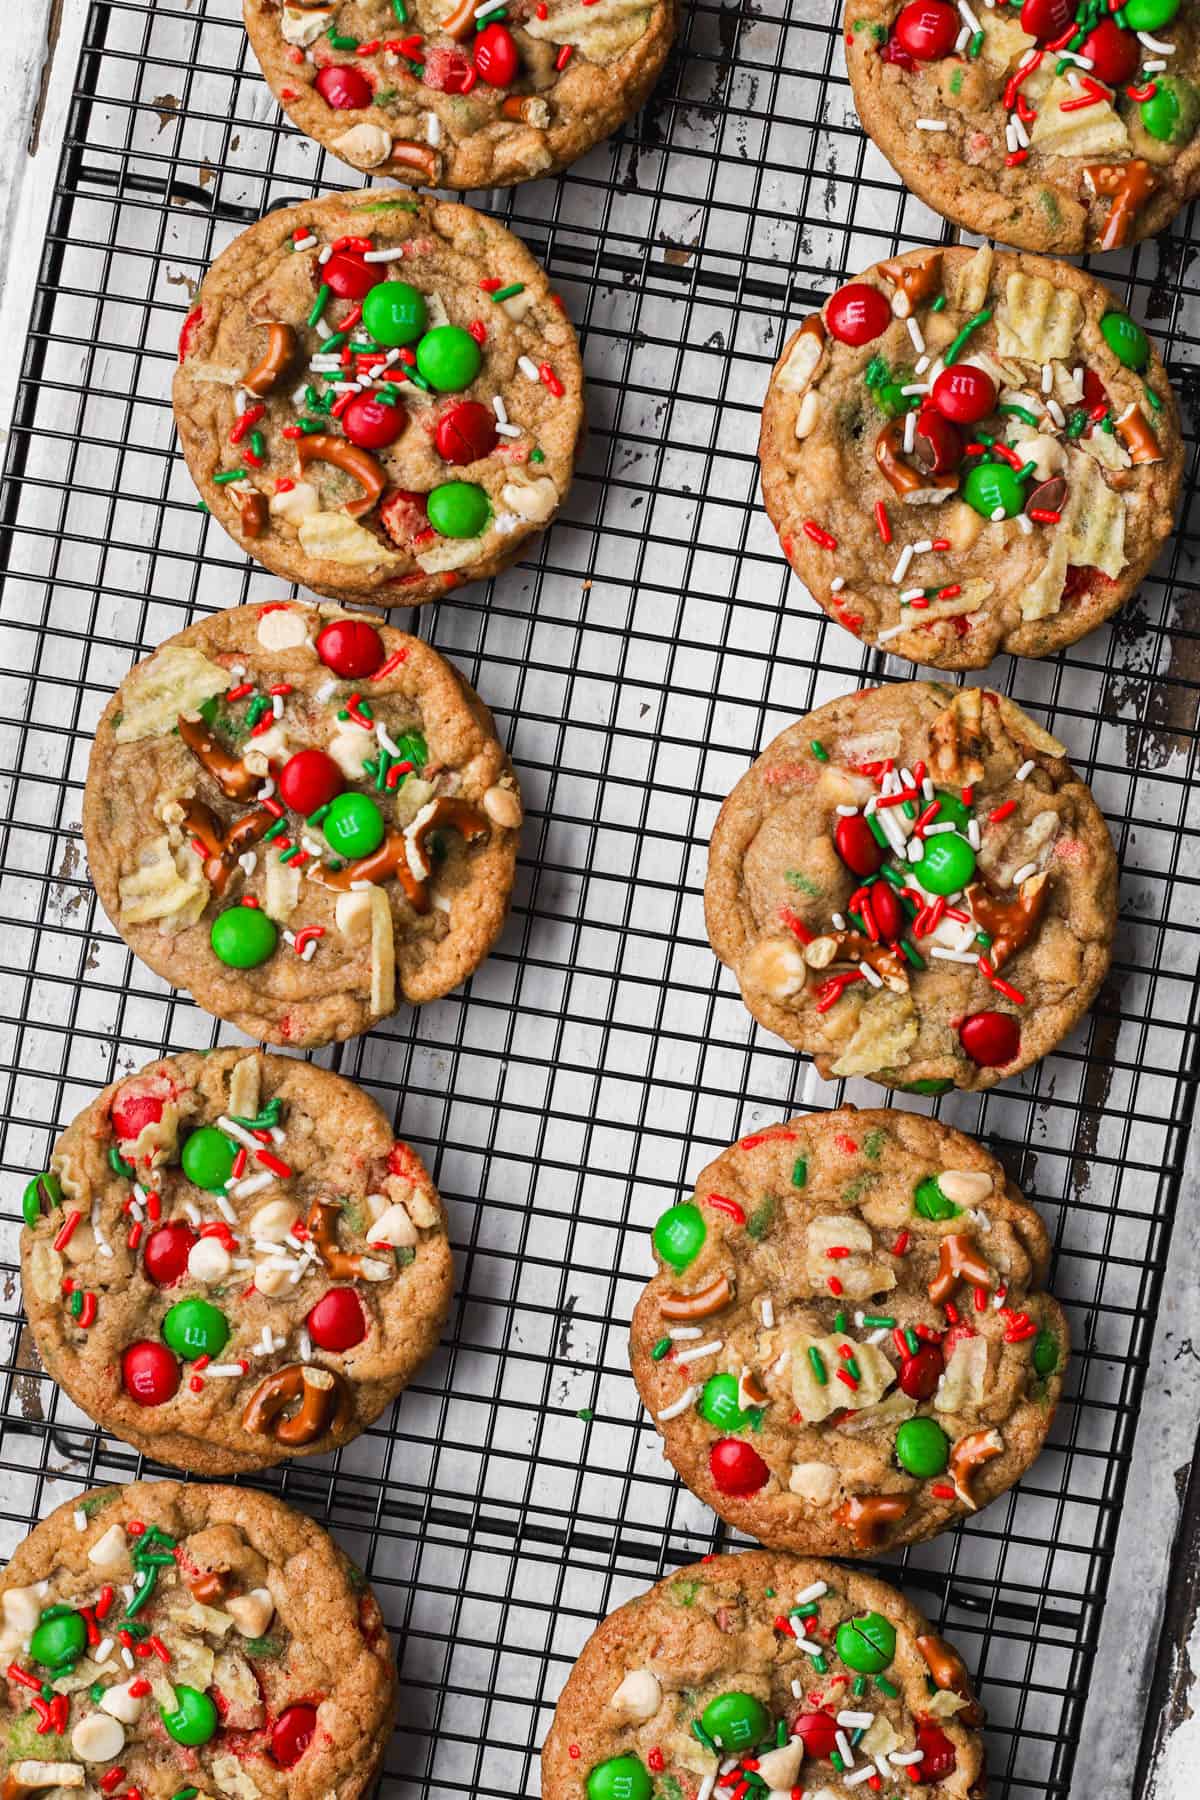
915 885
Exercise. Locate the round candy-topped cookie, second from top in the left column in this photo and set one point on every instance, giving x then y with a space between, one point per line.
379 397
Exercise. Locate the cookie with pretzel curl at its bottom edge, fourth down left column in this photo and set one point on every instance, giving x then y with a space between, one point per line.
233 1261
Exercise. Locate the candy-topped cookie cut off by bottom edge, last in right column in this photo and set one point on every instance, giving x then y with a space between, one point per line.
782 1675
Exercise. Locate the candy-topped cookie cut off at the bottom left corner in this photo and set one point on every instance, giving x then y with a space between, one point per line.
181 1641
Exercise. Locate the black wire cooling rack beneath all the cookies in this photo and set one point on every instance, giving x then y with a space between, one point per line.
598 1061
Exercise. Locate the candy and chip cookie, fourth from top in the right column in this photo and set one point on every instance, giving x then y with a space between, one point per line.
846 1347
